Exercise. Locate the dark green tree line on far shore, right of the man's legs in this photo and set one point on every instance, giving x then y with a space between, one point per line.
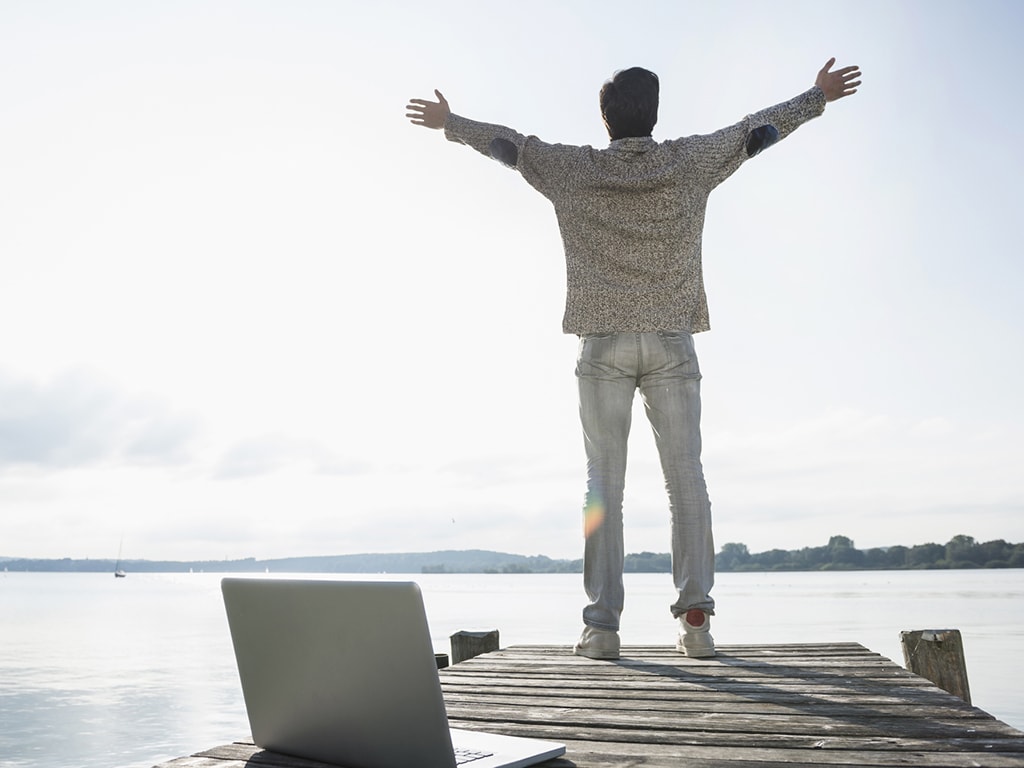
840 554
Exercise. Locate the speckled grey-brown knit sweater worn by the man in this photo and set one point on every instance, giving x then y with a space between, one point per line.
632 216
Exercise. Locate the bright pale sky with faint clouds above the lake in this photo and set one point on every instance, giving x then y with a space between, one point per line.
248 311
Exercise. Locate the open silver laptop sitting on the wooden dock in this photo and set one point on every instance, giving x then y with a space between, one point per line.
345 673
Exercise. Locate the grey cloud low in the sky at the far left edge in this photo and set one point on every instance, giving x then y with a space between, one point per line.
79 419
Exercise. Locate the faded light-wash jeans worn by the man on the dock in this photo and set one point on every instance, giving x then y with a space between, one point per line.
664 366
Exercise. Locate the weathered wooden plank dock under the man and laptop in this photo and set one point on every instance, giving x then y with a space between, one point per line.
753 706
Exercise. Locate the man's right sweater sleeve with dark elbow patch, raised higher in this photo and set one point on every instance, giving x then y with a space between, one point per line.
719 155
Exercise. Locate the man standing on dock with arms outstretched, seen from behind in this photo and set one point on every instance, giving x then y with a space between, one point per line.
631 219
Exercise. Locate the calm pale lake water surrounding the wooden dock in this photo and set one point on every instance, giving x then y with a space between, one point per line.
98 672
